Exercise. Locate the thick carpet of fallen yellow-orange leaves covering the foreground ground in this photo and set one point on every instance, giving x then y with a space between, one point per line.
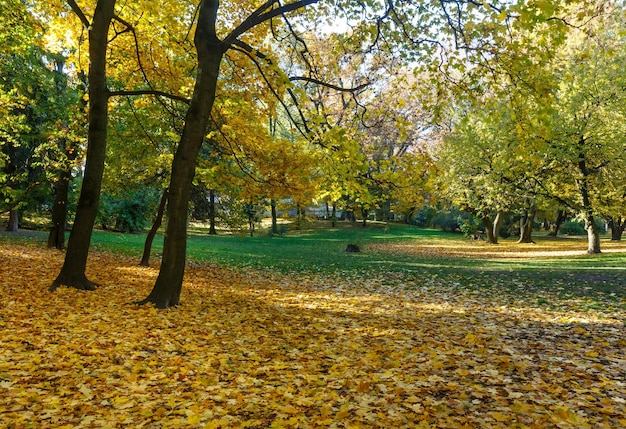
263 350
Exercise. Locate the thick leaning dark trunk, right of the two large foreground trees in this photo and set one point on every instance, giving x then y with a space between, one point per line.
168 286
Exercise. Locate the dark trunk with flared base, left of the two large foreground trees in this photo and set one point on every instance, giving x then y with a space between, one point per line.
73 271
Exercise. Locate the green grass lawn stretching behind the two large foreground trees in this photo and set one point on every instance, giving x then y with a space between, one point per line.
407 256
